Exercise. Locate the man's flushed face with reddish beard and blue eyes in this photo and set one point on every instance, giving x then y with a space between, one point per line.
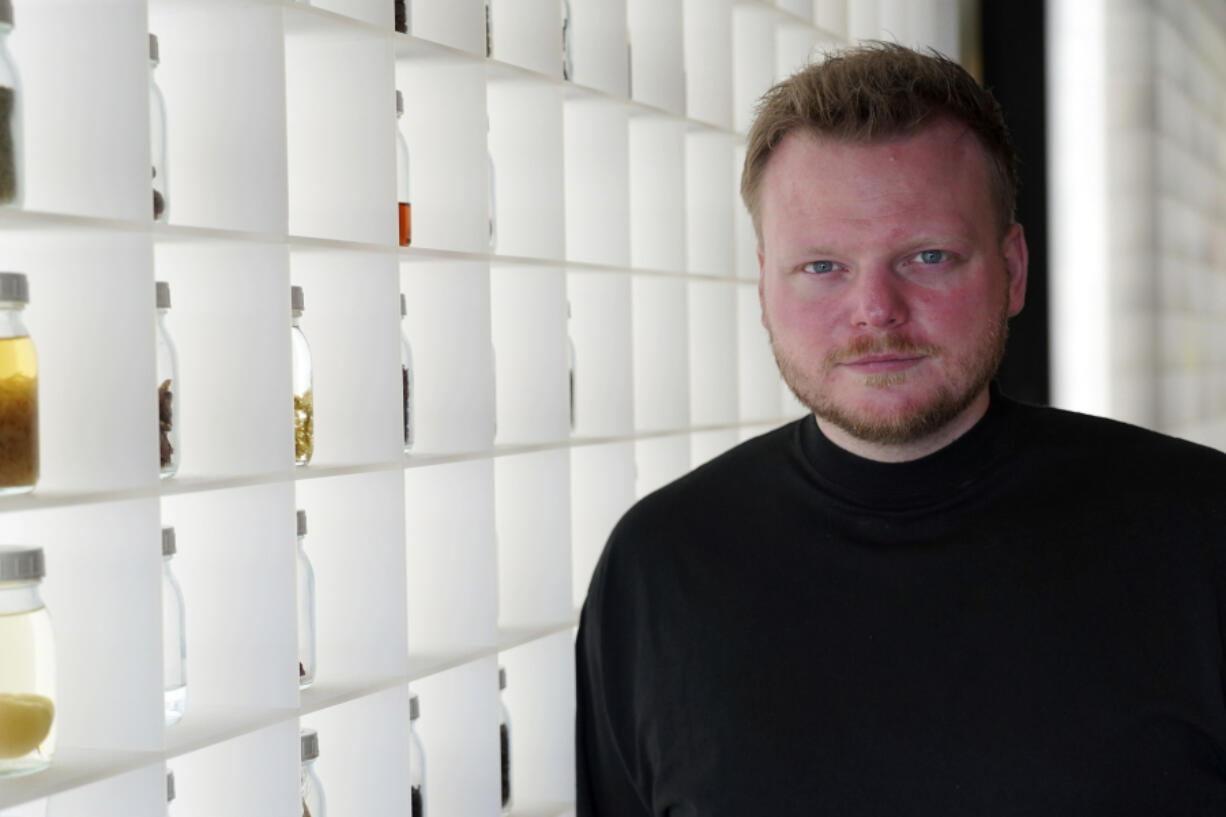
886 285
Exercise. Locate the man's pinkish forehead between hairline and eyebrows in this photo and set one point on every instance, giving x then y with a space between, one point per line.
937 175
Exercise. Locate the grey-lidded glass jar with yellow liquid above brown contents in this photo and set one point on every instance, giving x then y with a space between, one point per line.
19 391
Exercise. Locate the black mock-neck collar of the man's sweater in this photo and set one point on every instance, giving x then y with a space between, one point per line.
930 481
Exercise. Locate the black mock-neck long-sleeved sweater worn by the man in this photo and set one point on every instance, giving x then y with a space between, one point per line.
1027 623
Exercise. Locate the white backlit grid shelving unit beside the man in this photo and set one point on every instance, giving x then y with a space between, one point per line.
616 192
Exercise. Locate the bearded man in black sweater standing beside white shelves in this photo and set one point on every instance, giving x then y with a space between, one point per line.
924 598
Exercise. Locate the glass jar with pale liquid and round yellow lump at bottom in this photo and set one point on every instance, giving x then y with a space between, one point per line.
28 673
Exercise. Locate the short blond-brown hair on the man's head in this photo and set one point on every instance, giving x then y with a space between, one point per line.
874 93
